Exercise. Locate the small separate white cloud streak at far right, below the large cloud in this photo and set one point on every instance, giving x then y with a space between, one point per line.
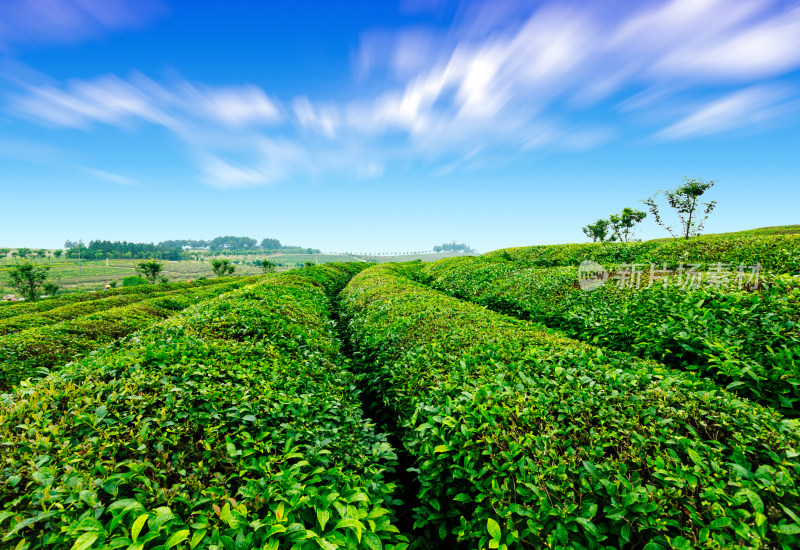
747 107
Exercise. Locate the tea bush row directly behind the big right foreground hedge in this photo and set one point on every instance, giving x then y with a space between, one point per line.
745 341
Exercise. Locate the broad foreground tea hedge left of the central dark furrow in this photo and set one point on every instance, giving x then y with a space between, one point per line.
234 425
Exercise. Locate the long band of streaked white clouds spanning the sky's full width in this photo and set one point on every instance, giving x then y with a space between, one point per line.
505 76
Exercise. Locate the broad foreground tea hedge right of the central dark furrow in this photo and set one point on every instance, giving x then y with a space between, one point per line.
524 438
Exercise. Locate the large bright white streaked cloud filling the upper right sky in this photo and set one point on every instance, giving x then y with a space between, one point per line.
562 59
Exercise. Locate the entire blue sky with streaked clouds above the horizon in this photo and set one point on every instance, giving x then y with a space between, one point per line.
390 126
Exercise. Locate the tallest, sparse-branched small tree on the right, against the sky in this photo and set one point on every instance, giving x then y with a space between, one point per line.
684 200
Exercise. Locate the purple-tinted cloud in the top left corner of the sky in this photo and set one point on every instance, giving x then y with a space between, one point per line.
25 21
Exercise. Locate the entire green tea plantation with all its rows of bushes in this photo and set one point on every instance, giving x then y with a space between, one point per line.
472 402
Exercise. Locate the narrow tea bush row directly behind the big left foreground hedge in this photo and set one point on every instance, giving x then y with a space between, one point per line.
25 354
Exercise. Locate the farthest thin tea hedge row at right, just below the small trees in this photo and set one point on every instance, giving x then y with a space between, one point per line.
776 253
